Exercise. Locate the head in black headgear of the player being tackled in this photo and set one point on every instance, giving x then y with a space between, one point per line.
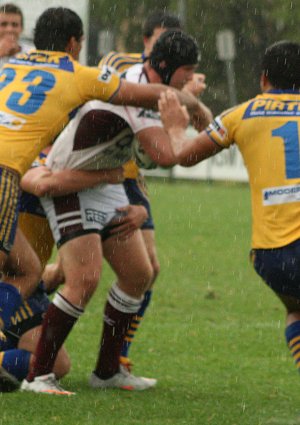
174 58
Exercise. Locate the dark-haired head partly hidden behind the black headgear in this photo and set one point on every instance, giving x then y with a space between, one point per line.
156 23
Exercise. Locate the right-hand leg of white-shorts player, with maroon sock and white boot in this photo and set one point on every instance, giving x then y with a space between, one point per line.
129 260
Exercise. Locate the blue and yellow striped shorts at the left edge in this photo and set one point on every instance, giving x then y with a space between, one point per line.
9 207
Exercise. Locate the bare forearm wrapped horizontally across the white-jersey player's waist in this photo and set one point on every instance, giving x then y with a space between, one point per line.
42 181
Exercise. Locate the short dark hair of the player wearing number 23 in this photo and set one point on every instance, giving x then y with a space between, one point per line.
55 27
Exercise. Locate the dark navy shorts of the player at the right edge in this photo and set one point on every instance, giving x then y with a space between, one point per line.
280 268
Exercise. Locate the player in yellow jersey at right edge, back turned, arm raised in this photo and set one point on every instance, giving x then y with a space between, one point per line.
266 130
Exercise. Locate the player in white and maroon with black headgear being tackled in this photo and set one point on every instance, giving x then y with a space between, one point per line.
101 136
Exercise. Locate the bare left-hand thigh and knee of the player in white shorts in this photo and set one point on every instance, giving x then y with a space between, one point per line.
81 261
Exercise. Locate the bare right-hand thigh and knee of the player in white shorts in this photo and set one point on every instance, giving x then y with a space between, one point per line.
130 261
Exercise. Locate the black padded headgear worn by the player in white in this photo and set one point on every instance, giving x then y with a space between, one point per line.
173 49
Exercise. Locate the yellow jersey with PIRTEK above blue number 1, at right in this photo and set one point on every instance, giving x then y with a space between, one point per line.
266 129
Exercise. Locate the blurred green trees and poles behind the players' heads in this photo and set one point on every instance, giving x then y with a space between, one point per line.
252 26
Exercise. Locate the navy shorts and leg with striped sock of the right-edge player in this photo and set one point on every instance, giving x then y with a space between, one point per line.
280 269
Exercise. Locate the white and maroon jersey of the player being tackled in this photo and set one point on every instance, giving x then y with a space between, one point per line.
101 134
